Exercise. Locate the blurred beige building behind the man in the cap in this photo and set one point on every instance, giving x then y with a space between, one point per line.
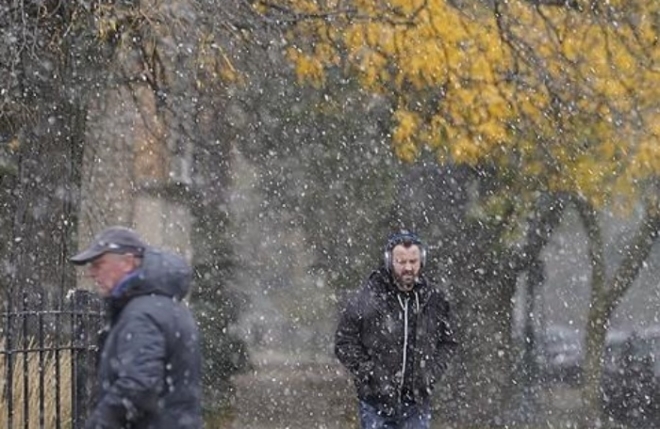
133 174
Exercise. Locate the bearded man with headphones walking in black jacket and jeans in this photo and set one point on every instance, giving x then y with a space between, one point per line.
395 339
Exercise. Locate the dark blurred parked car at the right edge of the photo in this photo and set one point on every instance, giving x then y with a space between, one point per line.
631 380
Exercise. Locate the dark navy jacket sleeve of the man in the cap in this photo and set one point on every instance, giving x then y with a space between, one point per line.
140 364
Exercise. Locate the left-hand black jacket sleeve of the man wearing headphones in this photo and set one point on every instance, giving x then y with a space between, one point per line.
348 340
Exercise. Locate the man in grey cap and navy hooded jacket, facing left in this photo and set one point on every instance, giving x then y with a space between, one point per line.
149 368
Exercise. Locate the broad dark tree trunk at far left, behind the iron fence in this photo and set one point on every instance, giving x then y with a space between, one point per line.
47 72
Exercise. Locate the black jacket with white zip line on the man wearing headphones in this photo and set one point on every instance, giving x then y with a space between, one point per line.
369 340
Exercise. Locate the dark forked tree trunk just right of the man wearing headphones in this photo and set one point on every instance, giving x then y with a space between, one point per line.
482 285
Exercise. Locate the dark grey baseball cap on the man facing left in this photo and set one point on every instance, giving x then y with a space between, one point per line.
115 239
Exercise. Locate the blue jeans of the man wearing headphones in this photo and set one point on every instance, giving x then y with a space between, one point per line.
409 417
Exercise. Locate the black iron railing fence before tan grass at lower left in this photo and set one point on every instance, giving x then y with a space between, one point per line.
48 361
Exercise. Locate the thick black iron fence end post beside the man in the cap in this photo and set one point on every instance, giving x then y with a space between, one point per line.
86 327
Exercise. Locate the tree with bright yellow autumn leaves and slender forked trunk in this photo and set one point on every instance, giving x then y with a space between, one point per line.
554 96
